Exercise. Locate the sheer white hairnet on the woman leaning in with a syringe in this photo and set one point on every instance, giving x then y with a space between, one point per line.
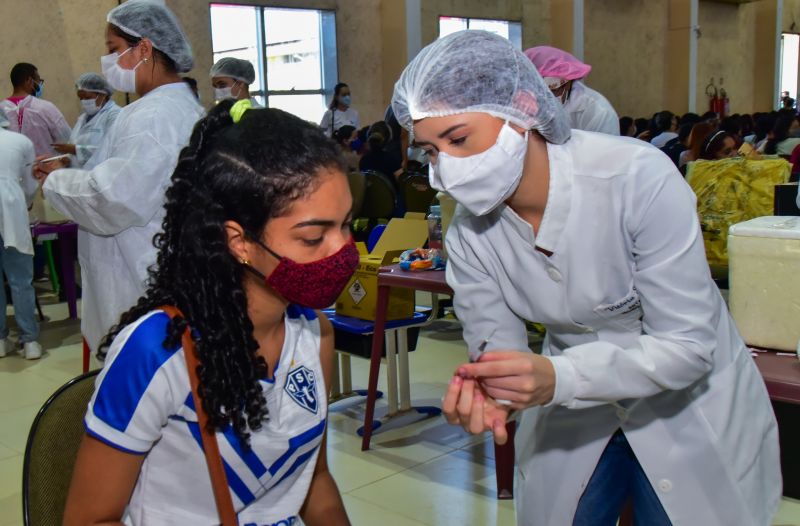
477 71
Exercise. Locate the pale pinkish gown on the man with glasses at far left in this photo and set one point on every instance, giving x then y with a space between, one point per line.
42 122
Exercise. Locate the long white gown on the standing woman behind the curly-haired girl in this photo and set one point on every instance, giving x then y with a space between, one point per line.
118 201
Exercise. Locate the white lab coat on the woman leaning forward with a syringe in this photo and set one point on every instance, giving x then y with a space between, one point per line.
637 332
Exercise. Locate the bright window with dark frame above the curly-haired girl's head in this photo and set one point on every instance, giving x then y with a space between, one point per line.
292 50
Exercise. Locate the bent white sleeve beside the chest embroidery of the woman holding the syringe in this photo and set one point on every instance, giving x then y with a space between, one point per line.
680 308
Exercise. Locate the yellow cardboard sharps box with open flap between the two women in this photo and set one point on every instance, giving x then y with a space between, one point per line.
360 296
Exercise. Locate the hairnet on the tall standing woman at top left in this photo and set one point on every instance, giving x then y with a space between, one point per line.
153 20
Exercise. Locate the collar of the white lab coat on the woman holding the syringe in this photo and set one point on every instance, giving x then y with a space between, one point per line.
556 211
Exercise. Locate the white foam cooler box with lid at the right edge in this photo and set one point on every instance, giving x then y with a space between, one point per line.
764 258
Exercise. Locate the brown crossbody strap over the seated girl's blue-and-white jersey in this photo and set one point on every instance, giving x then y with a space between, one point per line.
219 482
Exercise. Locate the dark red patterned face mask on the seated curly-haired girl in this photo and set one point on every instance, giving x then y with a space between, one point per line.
316 284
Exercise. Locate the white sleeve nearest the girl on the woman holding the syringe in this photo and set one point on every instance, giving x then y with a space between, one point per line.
478 300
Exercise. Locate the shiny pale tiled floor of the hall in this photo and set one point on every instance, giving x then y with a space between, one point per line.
423 473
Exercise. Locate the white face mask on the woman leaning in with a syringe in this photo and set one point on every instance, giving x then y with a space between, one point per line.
481 182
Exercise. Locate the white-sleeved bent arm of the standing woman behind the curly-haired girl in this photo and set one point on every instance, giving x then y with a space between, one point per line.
125 190
